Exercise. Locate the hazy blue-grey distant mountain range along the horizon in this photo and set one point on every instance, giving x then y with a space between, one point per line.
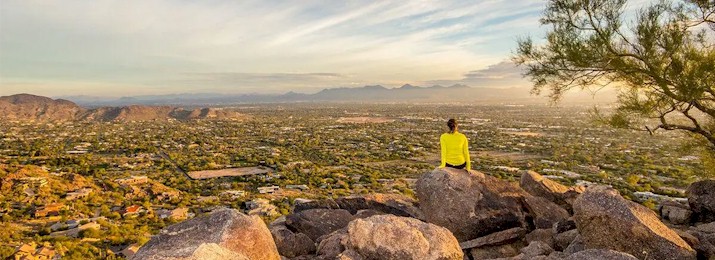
367 94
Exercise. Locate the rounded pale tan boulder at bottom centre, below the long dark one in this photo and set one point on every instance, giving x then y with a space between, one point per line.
392 237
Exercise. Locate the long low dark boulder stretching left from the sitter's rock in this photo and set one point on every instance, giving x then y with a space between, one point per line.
394 204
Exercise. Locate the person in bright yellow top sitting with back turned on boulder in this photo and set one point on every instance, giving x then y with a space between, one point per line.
455 148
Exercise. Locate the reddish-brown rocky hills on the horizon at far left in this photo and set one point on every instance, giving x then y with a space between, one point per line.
26 107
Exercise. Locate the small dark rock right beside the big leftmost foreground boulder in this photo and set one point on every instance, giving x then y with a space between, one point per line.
291 244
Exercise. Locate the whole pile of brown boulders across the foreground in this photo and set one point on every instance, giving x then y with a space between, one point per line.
459 215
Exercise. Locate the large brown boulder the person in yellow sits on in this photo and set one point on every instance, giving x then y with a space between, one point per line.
469 203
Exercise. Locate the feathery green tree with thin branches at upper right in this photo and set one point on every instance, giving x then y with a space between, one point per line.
661 60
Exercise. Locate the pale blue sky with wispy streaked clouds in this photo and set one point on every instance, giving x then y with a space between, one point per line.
127 48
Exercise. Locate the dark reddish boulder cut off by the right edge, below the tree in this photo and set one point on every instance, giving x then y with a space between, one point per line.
701 197
